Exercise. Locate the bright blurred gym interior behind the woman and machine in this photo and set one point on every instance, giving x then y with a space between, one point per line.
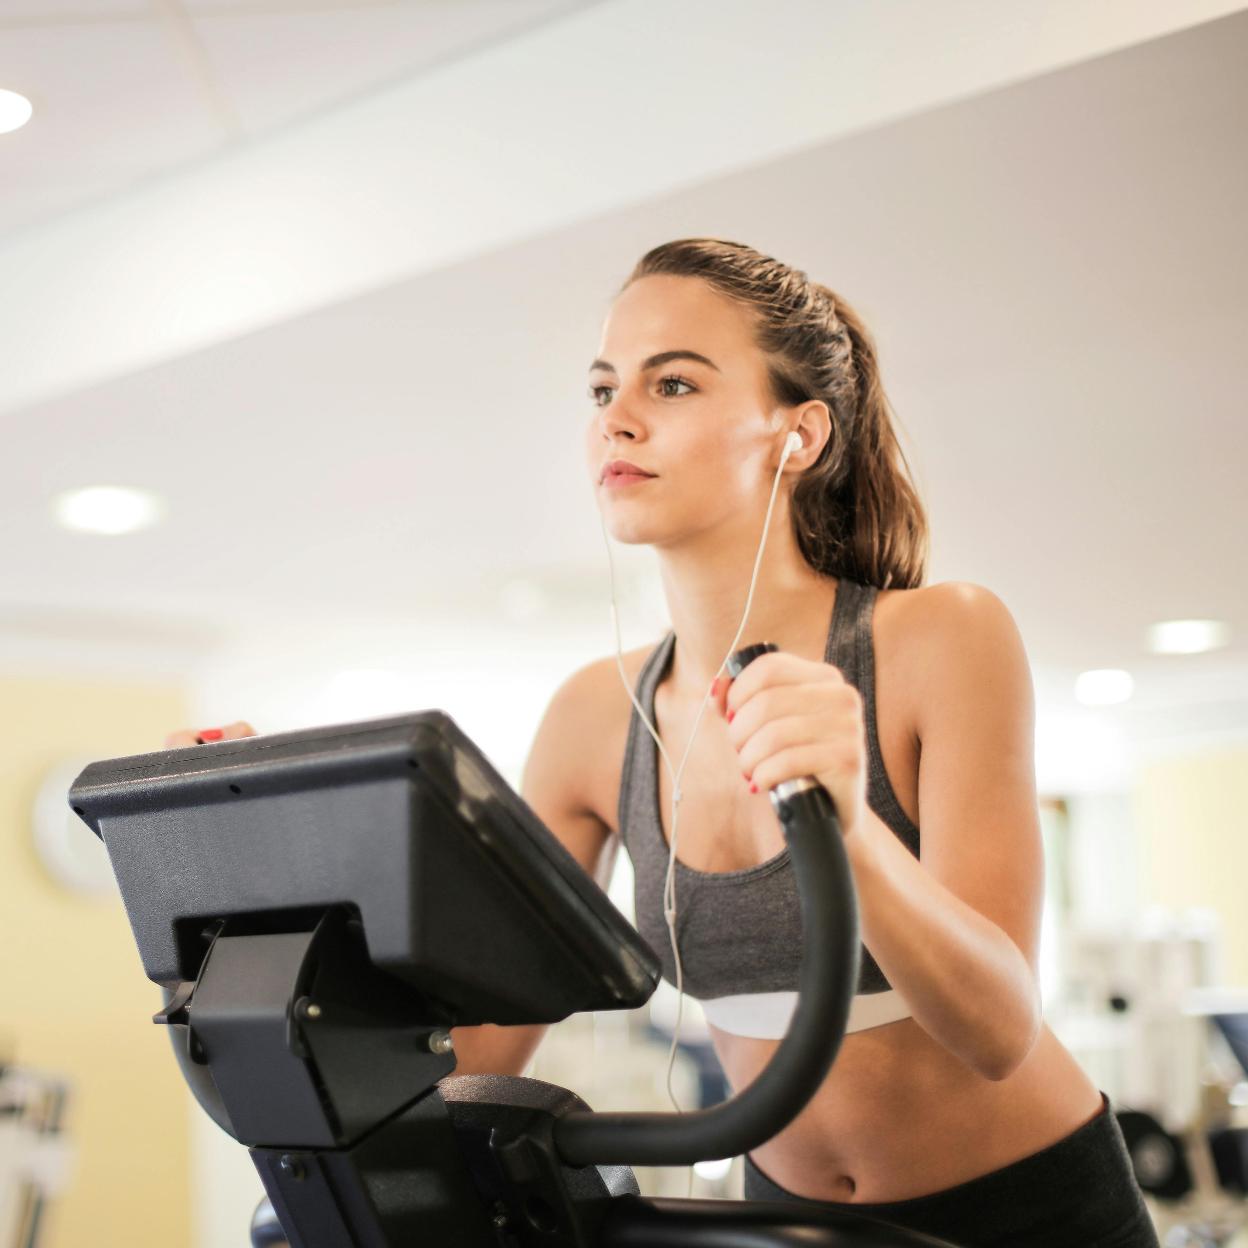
319 281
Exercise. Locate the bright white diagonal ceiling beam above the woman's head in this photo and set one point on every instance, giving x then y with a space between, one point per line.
474 155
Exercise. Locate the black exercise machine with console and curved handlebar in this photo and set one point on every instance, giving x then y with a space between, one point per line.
323 907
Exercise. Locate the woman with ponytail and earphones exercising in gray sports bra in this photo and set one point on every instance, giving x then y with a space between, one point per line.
952 1108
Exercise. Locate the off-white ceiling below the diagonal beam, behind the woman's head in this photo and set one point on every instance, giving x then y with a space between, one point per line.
1055 270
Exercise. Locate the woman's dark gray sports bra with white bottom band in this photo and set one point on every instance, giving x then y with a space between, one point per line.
741 932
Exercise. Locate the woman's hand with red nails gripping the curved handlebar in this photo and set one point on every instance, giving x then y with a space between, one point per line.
789 718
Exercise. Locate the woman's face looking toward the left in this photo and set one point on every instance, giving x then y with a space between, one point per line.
681 391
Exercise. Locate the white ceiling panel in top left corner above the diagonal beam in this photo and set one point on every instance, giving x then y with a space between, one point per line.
129 90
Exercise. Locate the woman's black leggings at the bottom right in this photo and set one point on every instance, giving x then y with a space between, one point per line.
1078 1194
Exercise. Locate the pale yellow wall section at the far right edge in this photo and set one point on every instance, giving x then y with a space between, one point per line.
1192 814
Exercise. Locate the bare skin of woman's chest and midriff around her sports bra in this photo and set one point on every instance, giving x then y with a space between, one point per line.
899 1116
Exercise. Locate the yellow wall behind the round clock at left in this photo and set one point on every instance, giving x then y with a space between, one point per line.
73 995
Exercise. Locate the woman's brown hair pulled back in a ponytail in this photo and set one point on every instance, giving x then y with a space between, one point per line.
856 511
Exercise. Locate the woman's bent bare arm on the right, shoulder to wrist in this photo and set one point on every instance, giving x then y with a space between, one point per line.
958 933
